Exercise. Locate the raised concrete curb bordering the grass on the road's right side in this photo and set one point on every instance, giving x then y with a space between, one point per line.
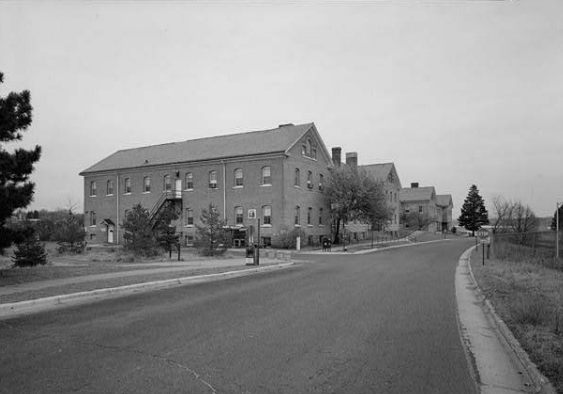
541 383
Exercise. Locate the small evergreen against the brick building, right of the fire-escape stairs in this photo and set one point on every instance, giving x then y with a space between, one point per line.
211 238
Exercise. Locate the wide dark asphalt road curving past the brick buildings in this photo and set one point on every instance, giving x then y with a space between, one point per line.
377 323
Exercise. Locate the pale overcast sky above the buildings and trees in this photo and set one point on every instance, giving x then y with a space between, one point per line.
453 92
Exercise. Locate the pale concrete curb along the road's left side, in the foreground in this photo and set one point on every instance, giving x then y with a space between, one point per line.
41 304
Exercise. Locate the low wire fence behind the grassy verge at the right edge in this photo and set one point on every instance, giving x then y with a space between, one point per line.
539 247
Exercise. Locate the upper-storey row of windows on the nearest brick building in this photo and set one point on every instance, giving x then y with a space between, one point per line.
238 181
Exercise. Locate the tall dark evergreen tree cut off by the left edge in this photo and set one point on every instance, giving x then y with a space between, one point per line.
15 167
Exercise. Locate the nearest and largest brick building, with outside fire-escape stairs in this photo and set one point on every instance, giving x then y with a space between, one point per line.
274 175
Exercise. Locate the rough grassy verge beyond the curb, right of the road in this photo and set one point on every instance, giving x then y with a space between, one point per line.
529 298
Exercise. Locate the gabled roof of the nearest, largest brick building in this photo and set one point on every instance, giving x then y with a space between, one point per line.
278 140
